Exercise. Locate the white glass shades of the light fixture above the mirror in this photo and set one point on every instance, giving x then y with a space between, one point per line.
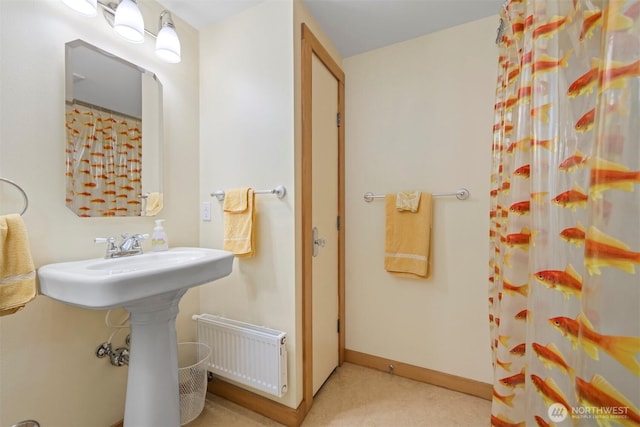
126 19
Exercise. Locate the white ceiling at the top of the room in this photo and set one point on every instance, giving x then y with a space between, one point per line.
355 26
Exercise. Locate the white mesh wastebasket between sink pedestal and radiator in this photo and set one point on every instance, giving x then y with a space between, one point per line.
192 376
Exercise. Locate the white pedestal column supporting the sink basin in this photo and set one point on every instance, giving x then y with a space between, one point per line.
153 396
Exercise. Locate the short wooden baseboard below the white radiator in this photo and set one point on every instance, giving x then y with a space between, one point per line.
283 414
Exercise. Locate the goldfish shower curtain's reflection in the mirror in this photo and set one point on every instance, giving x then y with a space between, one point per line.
103 163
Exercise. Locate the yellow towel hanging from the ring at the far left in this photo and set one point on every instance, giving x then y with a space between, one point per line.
17 272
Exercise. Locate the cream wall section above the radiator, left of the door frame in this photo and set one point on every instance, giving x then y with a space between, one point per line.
247 140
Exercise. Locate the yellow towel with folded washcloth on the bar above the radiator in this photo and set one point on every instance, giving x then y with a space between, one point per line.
239 222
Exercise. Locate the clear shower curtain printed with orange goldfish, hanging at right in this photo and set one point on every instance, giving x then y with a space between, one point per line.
564 287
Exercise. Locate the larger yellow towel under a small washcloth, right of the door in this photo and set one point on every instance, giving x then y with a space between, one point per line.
408 238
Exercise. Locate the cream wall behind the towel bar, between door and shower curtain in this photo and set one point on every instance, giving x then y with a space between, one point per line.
419 117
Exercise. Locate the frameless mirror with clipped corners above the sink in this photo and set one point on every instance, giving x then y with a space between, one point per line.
113 149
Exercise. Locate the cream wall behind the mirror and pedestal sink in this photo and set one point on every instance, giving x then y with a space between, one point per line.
48 370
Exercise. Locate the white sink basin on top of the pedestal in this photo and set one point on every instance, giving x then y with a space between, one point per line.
109 283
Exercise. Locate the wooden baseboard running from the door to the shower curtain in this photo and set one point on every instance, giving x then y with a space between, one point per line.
440 379
